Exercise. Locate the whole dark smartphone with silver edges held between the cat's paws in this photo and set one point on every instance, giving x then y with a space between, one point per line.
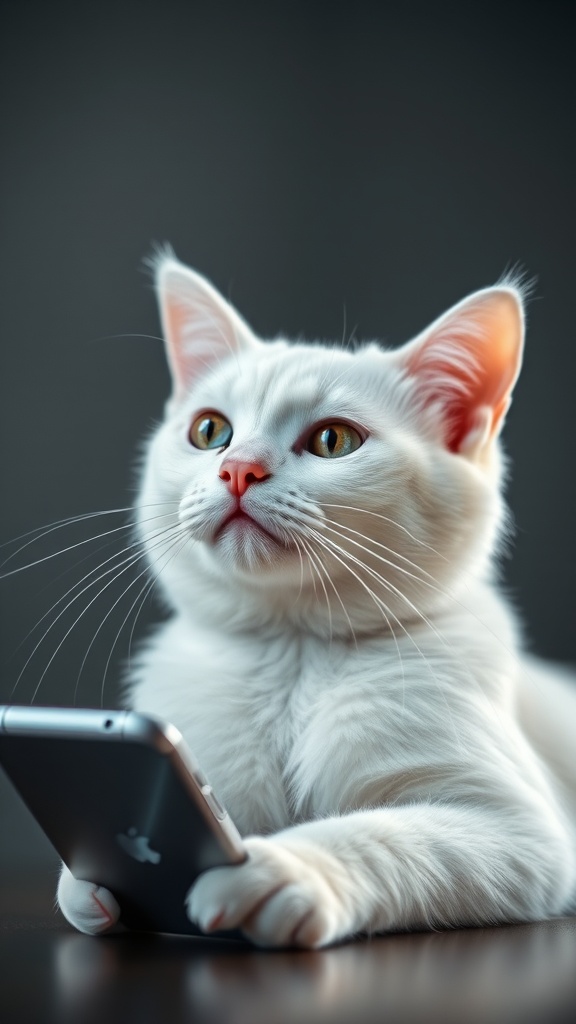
125 803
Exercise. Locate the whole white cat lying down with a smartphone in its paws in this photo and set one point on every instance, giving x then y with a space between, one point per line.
340 658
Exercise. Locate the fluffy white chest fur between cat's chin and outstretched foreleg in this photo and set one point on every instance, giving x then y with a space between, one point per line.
281 726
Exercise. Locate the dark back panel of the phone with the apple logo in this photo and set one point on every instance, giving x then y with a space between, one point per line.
119 815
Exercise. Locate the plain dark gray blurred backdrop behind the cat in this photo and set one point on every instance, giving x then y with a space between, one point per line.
331 167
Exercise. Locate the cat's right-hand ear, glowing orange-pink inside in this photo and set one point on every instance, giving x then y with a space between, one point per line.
467 364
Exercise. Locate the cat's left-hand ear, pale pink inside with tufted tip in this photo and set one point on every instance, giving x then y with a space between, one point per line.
199 326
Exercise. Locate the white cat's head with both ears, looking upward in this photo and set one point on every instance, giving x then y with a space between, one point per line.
349 490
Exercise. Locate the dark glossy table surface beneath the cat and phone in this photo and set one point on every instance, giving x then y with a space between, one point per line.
53 975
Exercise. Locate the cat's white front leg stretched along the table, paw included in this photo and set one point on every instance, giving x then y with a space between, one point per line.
390 869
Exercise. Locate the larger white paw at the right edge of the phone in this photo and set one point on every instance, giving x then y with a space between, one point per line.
277 898
